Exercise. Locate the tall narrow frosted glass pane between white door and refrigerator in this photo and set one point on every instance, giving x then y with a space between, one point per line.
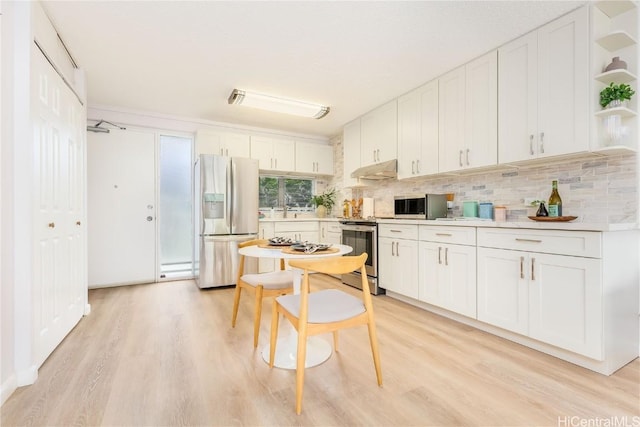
175 211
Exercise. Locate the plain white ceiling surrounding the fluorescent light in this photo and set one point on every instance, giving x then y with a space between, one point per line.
184 58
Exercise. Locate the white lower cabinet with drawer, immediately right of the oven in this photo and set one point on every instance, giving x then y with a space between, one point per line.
398 259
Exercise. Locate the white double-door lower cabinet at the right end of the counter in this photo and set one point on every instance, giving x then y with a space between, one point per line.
553 298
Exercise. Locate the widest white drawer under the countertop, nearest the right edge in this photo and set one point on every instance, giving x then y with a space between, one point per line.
561 242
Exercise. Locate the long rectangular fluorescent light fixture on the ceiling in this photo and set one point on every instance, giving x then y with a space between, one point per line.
278 105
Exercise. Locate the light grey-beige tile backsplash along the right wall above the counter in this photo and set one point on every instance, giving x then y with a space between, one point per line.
595 189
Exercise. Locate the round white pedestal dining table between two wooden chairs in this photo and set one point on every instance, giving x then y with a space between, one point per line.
318 350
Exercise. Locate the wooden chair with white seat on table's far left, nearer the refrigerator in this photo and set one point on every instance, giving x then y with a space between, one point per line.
263 285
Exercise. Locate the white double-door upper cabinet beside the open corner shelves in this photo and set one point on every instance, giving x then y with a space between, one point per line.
543 91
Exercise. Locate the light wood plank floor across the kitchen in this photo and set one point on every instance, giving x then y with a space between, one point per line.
165 354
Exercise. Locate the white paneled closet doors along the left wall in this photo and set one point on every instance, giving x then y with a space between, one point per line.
59 263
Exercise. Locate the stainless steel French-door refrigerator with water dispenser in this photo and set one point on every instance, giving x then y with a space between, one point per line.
226 213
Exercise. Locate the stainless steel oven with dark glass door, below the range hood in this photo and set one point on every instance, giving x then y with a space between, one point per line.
362 236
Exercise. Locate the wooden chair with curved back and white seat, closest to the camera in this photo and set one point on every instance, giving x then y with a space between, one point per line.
324 311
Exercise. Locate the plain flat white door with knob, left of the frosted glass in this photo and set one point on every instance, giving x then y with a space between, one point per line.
121 207
